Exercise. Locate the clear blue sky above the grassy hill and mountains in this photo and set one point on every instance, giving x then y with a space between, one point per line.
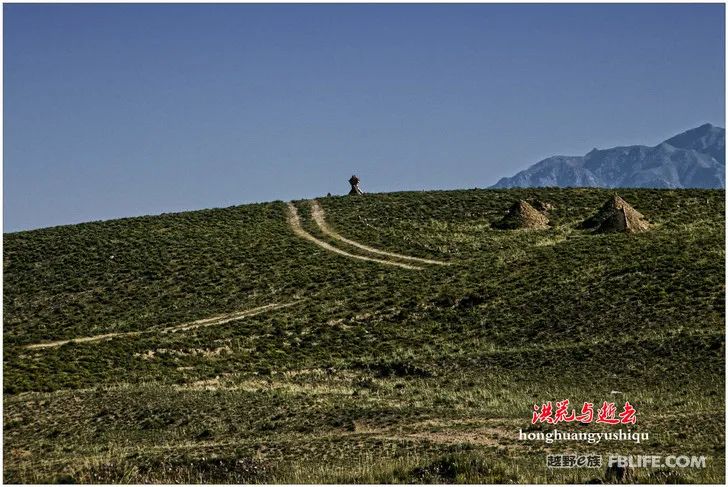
123 110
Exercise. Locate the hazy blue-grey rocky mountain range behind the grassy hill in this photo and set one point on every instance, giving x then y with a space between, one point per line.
692 159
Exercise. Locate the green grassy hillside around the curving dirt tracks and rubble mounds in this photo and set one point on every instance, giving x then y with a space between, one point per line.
366 372
